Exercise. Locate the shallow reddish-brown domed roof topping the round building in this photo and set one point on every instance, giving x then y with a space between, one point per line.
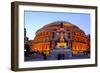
58 24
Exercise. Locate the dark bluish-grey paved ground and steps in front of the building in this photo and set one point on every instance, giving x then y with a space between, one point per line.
56 55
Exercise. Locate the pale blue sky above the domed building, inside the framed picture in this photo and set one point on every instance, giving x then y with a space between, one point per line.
35 20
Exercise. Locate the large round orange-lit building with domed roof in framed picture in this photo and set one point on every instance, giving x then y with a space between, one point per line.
60 34
